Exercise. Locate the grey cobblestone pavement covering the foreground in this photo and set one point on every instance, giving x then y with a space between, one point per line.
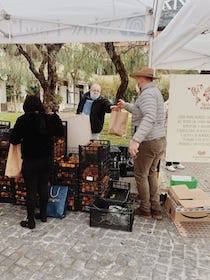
70 249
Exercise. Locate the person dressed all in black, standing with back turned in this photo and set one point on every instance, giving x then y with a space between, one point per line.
35 131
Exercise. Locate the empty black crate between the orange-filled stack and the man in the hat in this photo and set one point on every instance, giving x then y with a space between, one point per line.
118 193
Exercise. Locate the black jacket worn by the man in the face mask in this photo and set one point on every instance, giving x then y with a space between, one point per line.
99 107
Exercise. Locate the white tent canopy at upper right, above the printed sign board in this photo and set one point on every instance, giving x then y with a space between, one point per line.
185 42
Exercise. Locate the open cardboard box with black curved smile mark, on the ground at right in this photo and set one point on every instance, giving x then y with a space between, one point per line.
188 205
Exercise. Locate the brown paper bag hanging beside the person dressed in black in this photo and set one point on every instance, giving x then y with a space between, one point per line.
14 161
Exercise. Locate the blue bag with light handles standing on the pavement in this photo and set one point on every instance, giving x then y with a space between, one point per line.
57 202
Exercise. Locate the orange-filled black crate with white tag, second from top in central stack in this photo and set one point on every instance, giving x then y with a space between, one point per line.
94 171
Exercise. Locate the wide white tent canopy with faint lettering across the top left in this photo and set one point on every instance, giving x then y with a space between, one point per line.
63 21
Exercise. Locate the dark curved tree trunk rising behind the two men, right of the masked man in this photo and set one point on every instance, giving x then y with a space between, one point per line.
120 69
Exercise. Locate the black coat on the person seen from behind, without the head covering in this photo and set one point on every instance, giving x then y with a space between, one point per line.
35 132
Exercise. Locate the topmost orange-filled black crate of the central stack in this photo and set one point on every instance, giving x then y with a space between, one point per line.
95 152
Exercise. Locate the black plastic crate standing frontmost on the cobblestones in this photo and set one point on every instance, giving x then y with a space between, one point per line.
115 217
